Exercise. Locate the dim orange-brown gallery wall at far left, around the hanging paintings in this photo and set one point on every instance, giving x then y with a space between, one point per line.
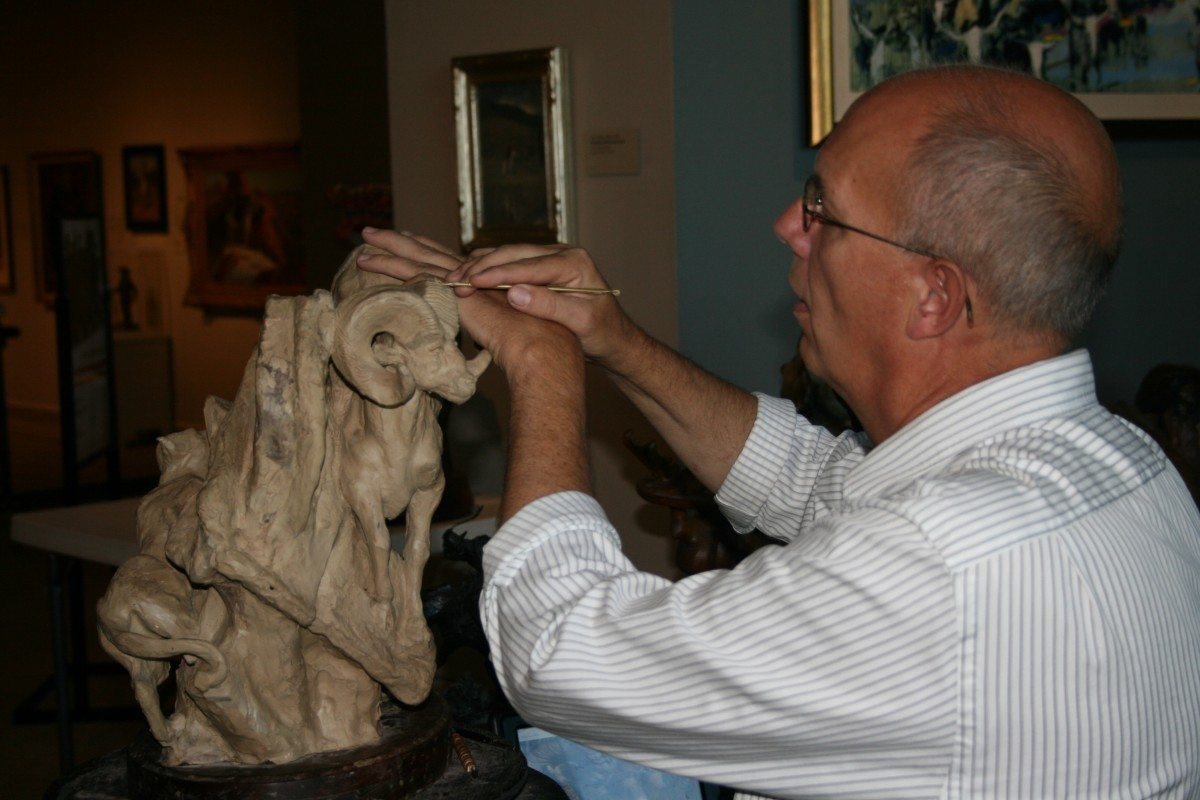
99 76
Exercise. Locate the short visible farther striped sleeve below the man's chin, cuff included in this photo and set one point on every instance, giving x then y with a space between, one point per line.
789 473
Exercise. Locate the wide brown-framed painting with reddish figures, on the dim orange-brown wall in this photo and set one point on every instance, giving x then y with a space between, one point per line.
244 226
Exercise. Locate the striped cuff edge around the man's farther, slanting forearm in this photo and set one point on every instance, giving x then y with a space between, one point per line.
757 471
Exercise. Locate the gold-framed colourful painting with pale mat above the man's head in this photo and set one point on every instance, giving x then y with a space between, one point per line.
1137 61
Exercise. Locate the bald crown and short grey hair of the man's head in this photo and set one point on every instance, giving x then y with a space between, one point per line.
1015 181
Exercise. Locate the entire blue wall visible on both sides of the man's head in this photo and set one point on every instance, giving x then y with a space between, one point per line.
741 159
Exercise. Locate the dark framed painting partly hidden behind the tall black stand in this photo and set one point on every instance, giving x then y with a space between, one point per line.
65 187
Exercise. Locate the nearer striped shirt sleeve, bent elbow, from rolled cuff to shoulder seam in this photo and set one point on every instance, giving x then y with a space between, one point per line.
821 667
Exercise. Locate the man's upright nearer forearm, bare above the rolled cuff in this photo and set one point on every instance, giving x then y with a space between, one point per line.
548 450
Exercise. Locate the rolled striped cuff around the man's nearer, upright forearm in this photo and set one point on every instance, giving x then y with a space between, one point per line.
538 522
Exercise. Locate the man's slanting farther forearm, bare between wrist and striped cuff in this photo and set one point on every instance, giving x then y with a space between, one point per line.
704 419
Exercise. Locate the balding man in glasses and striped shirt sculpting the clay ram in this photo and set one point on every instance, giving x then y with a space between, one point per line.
993 592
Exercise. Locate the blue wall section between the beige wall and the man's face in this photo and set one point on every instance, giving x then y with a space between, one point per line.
740 161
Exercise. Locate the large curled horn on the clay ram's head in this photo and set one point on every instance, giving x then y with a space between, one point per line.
370 334
